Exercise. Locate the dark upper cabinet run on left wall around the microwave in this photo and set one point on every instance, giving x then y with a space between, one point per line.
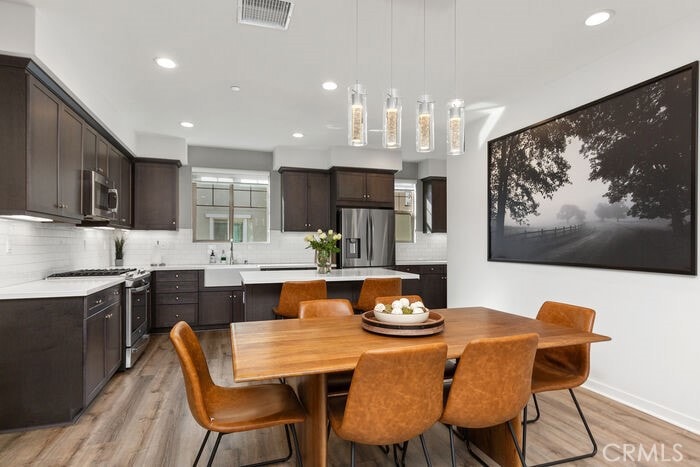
47 139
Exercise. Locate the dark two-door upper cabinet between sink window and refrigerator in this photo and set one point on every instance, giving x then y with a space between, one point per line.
305 200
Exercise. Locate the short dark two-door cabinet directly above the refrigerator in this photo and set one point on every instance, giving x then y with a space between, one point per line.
357 188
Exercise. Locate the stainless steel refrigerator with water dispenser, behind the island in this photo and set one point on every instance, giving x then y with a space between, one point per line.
368 237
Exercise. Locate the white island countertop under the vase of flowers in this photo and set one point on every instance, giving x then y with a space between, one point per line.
336 275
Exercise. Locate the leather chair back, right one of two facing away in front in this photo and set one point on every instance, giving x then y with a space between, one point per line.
492 382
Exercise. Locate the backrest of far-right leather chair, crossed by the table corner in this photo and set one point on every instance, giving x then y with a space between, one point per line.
575 359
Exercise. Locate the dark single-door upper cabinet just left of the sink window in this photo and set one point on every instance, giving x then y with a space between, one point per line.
155 194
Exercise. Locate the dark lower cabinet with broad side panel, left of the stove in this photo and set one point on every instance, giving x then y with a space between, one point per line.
57 354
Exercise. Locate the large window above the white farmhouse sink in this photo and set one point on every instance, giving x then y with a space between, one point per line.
229 204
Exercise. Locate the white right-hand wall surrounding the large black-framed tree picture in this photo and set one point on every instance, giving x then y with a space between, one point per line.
653 360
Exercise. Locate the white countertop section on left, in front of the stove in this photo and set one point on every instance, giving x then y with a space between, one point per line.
55 288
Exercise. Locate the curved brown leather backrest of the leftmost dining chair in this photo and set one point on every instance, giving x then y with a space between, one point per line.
195 370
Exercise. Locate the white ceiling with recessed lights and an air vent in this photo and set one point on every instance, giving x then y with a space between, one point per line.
504 47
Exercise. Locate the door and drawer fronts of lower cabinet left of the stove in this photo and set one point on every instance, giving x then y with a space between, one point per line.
103 339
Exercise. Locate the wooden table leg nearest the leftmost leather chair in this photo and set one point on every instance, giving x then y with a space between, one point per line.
312 392
